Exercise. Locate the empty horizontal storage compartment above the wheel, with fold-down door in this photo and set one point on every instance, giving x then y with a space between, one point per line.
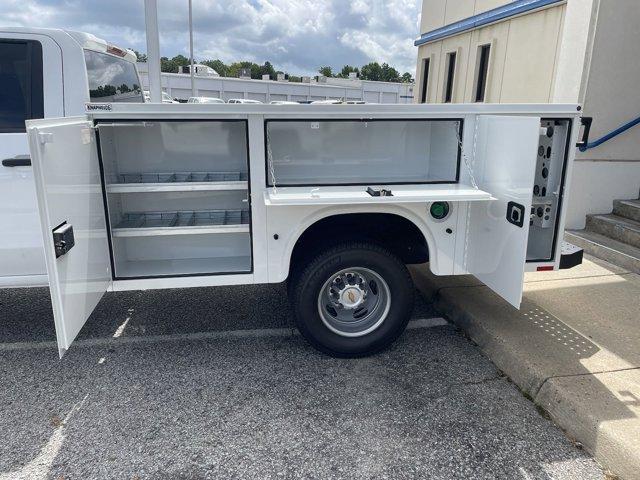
361 152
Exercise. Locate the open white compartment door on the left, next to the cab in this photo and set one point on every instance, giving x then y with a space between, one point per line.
72 216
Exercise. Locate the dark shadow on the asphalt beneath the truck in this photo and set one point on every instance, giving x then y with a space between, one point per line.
26 314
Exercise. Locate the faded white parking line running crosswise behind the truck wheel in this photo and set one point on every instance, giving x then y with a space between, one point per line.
218 335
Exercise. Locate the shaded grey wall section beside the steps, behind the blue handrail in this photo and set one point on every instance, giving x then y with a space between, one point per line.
609 94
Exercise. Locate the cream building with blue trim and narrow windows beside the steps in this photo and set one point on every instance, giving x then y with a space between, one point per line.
557 51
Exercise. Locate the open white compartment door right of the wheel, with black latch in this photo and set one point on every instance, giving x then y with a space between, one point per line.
504 166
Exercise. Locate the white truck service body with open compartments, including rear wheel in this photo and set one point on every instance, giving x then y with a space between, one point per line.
335 199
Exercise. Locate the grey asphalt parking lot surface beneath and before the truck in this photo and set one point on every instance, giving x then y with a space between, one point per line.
215 383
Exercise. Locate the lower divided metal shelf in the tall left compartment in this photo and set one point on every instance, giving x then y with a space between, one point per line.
182 223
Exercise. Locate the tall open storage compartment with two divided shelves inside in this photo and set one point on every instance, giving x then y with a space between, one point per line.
177 197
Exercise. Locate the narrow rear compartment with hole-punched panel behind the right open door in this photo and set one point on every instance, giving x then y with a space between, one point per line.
547 190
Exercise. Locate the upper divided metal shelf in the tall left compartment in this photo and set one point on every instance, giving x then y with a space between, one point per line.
178 181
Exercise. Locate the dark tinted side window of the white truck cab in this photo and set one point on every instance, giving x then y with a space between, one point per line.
21 92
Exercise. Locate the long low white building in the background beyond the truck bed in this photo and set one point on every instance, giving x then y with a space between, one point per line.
179 86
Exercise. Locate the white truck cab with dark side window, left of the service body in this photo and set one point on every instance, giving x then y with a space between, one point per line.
46 73
